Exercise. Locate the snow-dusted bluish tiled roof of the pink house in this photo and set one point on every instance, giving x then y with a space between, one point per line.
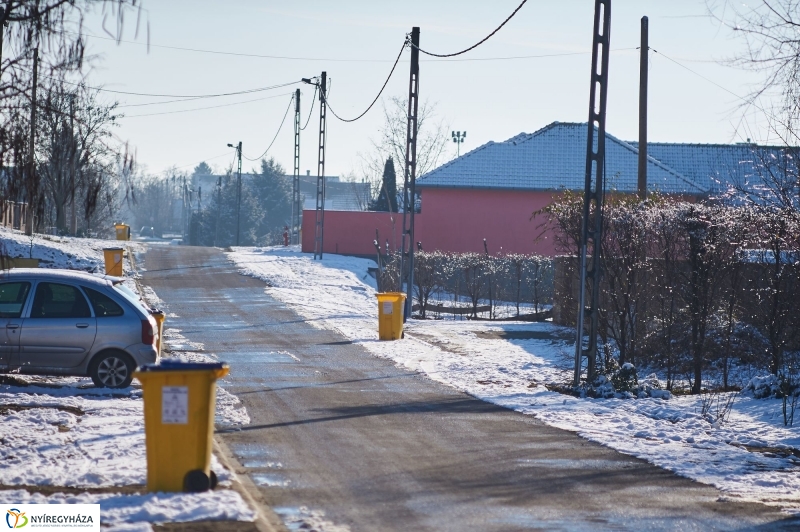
555 158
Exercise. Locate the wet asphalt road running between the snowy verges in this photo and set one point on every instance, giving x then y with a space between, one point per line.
378 448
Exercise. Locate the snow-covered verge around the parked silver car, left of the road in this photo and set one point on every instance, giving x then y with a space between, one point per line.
63 432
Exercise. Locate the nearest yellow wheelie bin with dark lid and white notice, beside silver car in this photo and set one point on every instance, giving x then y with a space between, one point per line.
179 400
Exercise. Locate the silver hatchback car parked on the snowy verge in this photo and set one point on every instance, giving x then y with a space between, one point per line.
64 322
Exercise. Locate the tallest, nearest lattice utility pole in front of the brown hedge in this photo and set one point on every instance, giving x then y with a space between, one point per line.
592 230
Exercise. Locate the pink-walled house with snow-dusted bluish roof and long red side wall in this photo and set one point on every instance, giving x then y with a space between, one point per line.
492 191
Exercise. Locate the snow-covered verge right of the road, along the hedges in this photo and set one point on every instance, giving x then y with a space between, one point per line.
749 457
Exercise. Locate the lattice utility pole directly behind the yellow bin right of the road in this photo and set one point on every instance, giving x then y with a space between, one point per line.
410 173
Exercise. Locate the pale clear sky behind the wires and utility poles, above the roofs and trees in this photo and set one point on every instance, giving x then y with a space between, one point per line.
356 43
